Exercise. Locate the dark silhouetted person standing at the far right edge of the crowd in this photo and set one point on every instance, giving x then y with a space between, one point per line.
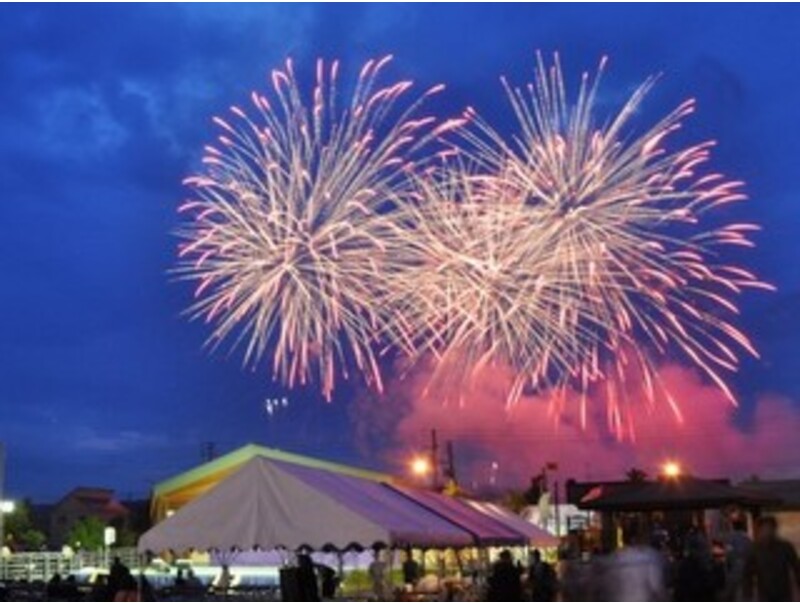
772 566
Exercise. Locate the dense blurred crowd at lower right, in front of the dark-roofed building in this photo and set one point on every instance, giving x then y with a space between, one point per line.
764 569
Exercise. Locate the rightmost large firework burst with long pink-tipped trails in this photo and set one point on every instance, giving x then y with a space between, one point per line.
616 242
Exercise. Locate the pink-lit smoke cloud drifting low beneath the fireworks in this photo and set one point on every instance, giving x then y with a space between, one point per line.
710 440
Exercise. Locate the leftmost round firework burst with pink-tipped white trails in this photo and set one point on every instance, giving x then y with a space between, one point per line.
288 241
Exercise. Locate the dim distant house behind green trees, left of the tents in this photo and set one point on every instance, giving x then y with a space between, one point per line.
82 503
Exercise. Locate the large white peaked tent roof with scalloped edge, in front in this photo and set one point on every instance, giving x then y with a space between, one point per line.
270 504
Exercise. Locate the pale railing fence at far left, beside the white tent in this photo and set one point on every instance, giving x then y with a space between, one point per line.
32 567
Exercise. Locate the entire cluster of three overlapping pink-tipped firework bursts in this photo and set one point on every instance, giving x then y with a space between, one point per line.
575 253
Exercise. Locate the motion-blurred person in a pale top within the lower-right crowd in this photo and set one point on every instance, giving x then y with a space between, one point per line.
634 572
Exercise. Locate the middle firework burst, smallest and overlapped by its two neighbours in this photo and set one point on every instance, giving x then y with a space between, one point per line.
470 292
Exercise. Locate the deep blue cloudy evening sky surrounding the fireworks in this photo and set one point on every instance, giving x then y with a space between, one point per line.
105 110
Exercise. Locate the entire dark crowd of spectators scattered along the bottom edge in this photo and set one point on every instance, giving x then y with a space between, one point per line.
765 568
